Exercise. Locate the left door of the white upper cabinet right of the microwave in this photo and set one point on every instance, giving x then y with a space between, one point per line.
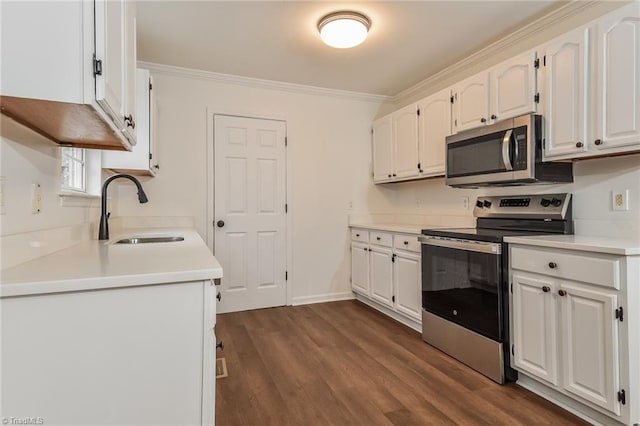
566 94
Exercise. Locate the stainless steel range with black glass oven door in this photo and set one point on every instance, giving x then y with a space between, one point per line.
465 278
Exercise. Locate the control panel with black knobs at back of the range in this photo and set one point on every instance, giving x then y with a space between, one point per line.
539 206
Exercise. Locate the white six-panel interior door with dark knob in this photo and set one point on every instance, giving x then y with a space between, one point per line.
250 221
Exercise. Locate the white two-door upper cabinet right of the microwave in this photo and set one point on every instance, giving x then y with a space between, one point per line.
592 88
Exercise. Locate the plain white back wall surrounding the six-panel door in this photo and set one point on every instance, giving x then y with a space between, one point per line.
329 158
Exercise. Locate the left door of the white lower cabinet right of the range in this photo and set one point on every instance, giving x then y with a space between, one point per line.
534 325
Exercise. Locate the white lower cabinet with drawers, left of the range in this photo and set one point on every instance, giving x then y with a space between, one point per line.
386 270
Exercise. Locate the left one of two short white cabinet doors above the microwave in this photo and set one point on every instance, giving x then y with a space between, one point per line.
472 102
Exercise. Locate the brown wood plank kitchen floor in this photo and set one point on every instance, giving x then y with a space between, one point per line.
343 363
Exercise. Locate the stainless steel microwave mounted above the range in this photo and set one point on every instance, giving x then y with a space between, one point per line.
503 154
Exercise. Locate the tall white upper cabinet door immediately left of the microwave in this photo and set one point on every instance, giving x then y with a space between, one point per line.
434 127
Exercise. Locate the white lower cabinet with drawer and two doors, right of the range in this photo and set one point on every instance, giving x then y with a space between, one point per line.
571 330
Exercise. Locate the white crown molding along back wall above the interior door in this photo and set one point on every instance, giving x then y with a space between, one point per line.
259 83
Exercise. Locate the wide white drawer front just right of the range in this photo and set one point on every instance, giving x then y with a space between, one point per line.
601 270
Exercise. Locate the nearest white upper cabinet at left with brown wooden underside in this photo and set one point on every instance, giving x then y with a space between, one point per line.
86 97
